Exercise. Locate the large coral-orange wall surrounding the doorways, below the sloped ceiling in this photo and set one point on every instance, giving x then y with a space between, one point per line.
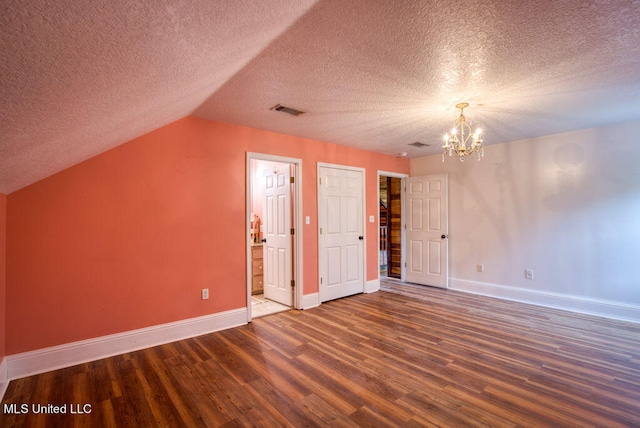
127 239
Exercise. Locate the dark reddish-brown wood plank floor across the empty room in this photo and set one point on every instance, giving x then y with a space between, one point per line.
405 356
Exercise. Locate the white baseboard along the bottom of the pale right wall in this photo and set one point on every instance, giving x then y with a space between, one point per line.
604 308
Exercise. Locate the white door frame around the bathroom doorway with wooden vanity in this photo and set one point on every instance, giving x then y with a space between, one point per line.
296 222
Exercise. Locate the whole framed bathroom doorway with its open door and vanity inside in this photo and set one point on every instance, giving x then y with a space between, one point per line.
274 235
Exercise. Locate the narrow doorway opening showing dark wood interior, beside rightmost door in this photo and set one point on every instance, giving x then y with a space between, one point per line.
391 259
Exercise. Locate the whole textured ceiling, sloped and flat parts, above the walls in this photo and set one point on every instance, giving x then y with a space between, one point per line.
78 78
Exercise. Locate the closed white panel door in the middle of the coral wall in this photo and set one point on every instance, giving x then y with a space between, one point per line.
341 237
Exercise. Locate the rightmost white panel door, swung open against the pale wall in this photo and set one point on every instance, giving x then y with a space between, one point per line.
427 230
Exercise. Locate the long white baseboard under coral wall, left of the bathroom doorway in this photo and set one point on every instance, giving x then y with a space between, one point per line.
70 354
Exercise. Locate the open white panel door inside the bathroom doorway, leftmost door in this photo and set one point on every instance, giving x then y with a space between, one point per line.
277 246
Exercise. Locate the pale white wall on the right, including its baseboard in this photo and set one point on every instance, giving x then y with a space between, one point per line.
566 206
